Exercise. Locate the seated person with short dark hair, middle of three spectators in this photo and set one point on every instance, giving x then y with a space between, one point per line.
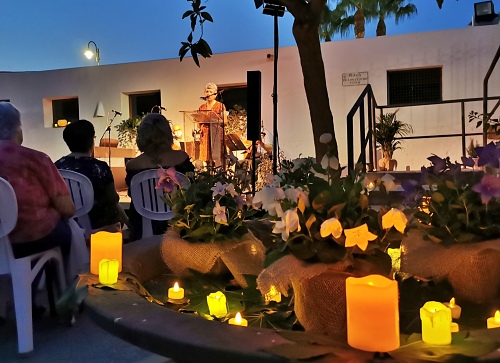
107 214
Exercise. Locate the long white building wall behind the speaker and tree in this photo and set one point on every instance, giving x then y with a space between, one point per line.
465 55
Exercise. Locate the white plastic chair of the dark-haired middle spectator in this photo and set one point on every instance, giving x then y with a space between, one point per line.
82 193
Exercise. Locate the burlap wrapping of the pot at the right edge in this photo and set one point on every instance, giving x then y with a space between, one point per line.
473 269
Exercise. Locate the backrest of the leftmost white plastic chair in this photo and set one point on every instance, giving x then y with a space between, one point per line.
8 220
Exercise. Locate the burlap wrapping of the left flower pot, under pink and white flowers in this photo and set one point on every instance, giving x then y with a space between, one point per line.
245 256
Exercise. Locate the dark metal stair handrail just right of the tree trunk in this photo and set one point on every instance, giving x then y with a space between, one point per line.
360 105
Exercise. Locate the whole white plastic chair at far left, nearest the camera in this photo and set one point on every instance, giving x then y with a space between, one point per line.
20 269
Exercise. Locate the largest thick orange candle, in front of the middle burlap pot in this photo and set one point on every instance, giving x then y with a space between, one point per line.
372 313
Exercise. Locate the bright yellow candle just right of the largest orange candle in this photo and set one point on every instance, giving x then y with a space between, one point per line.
436 323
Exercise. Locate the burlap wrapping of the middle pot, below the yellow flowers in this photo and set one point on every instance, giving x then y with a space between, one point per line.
319 292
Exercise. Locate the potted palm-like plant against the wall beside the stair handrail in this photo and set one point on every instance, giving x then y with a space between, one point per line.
387 129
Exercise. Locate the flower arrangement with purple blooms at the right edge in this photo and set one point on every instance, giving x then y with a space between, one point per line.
457 205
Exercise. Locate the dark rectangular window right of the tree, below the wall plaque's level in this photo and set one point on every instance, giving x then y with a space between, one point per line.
414 86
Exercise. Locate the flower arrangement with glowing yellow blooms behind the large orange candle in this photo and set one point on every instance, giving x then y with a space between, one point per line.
321 216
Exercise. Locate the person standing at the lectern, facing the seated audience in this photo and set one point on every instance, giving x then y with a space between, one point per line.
212 130
